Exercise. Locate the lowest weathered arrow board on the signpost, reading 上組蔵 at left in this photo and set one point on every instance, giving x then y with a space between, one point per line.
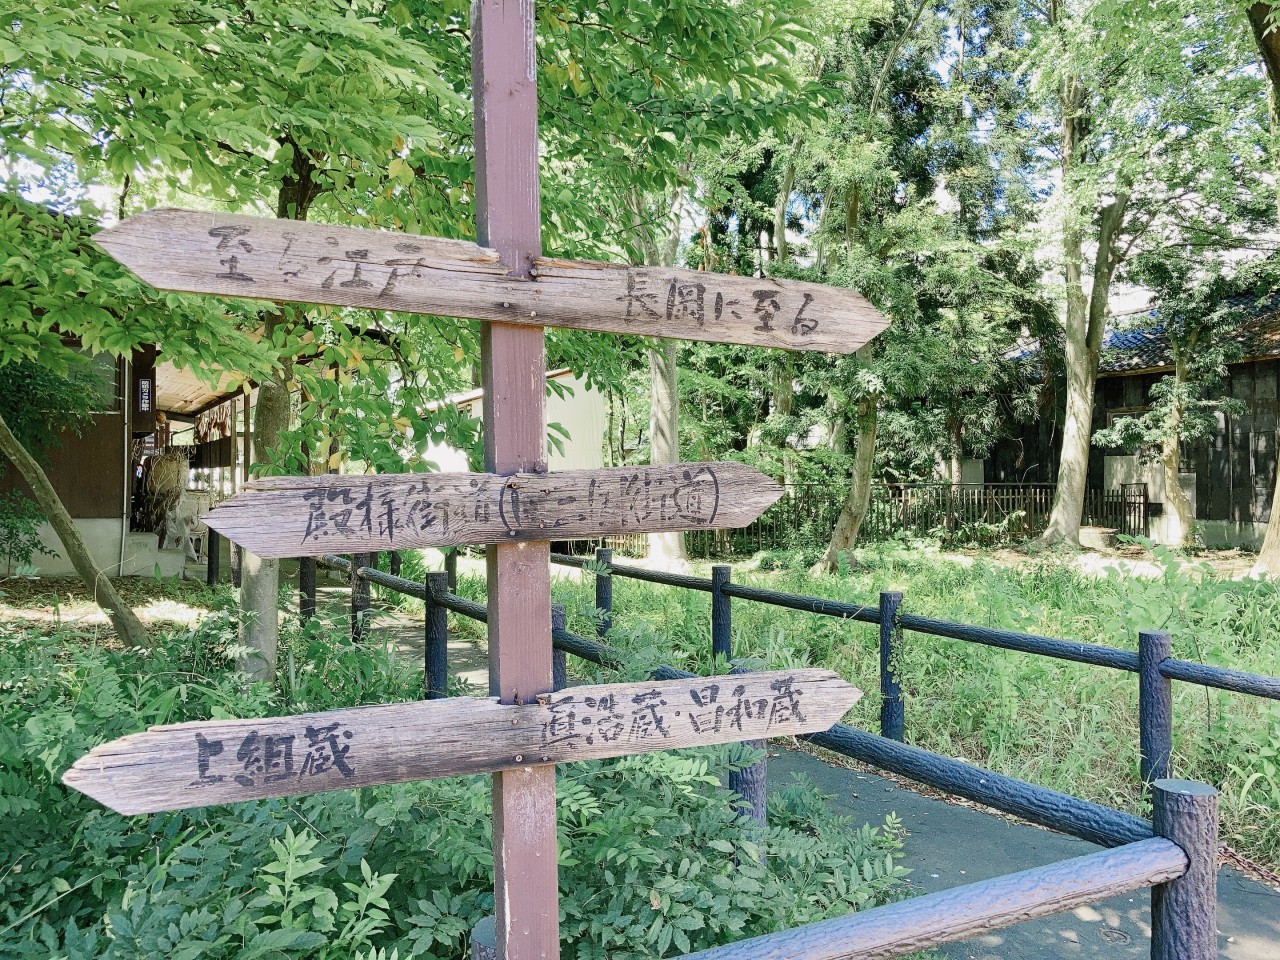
222 762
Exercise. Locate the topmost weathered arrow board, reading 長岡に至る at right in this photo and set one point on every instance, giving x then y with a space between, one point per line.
286 260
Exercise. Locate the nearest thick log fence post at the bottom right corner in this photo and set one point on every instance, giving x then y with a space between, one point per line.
1185 911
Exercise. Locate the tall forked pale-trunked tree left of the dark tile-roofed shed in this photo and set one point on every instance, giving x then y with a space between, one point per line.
1156 118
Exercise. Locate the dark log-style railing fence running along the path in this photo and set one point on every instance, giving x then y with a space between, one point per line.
1176 853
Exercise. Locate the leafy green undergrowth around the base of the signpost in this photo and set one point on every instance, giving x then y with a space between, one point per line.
655 858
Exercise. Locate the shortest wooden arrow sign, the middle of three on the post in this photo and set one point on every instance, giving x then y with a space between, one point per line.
308 516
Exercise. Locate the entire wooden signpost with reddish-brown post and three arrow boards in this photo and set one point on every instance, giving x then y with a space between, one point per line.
515 506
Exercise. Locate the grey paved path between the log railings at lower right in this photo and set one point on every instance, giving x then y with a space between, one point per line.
952 845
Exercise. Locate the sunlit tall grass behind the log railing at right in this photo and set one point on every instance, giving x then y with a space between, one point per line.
1066 726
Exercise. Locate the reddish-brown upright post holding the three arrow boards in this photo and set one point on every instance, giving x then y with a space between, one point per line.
515 438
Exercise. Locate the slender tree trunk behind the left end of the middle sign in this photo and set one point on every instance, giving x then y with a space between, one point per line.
260 579
